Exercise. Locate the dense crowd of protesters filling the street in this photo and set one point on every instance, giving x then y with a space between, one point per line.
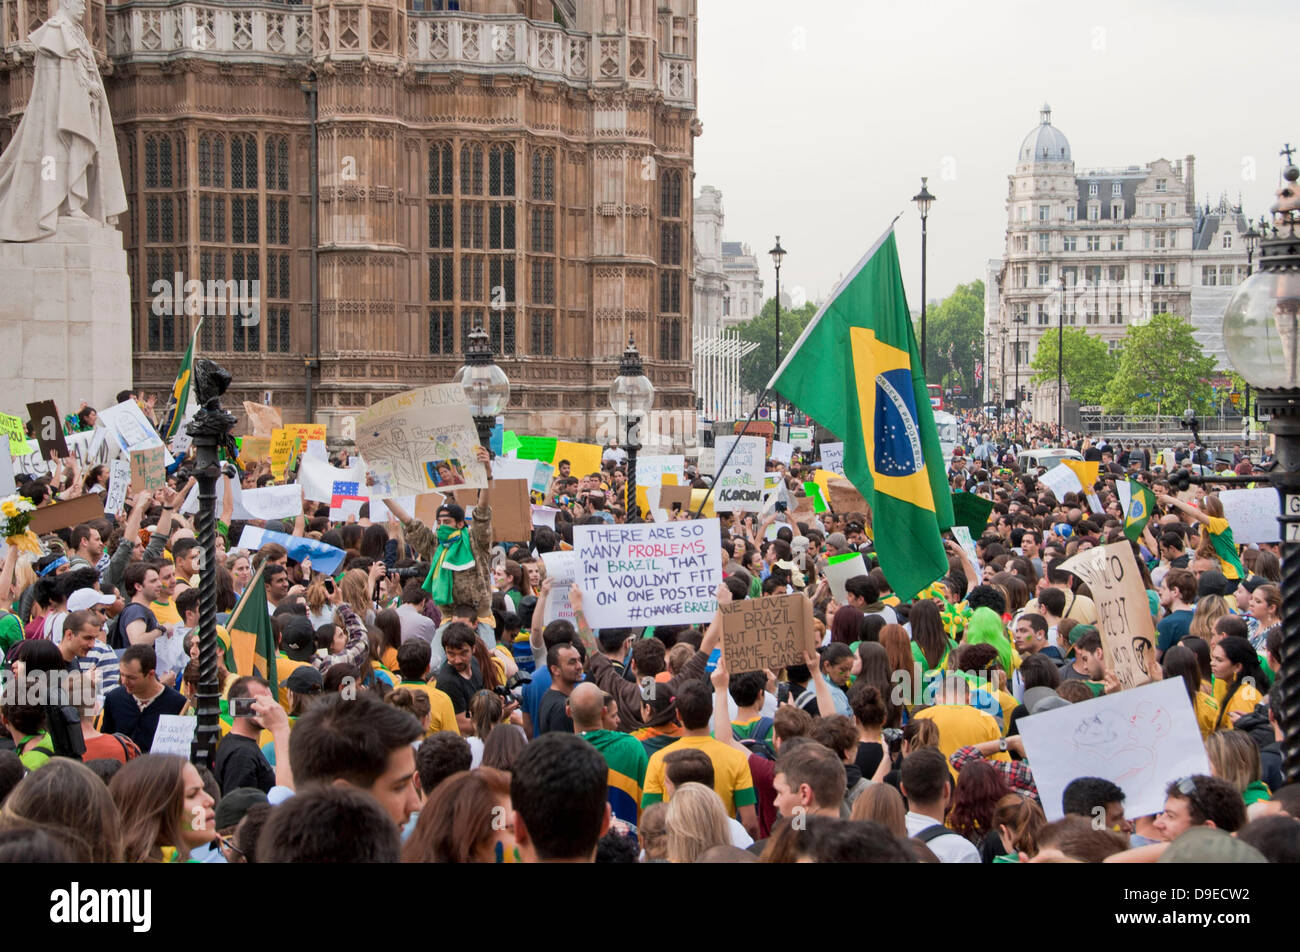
469 732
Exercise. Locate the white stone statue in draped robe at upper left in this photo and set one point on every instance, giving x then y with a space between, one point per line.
63 161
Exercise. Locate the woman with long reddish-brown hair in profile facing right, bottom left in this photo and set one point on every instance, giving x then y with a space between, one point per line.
166 811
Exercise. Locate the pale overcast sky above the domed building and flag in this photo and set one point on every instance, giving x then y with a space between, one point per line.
822 116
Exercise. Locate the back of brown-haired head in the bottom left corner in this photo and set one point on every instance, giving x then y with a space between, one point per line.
67 800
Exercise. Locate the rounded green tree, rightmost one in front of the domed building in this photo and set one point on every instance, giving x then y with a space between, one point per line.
1163 370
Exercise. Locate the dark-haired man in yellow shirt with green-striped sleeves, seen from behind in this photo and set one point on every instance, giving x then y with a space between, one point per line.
733 781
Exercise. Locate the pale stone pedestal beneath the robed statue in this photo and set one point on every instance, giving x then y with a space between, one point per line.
66 318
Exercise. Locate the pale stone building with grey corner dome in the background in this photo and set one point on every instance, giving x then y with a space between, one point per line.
1102 249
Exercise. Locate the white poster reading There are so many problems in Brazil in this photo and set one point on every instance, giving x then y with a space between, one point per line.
649 574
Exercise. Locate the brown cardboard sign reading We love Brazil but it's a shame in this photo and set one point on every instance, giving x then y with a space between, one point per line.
768 633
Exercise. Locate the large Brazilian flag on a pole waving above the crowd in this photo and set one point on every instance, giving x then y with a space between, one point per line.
856 370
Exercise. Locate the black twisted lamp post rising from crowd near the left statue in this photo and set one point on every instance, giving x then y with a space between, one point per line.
210 432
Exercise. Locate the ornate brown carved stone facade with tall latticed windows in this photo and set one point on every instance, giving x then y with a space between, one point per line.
518 163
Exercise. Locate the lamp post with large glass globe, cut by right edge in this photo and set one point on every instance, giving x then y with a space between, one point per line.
1262 331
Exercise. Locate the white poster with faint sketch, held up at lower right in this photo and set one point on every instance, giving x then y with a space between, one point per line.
1141 741
